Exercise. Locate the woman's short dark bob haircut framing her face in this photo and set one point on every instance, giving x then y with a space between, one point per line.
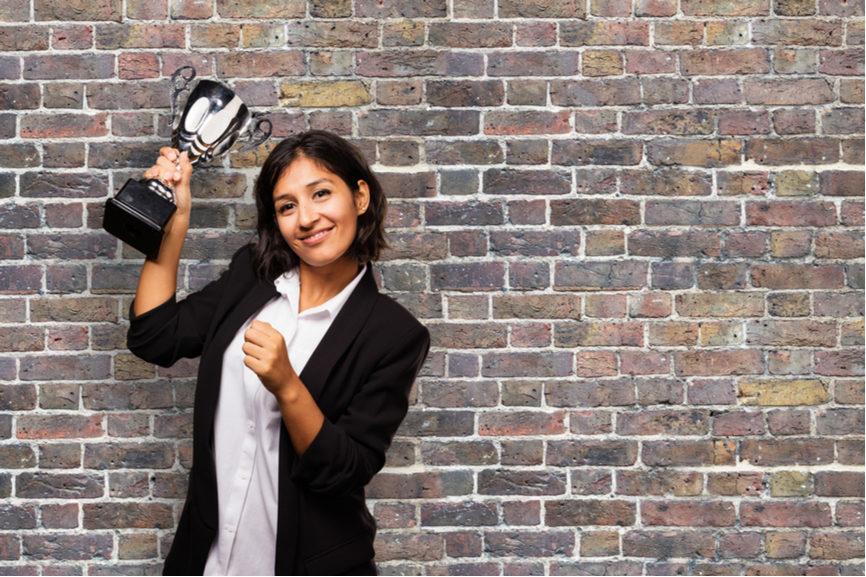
272 254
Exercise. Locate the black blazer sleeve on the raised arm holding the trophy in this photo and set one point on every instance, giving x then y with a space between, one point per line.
176 329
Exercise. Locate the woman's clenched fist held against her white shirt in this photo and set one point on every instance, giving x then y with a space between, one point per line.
267 356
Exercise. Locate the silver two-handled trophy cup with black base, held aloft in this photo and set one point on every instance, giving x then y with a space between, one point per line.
213 120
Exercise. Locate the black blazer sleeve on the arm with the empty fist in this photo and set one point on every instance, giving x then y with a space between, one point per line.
346 454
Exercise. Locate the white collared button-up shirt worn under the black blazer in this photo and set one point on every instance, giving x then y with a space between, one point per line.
247 433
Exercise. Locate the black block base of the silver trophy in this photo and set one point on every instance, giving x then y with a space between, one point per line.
137 215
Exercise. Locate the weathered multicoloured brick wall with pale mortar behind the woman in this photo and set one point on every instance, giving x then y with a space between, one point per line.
634 229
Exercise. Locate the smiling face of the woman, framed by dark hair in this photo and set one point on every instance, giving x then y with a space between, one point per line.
308 199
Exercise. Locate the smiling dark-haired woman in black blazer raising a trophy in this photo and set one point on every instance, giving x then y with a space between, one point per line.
305 368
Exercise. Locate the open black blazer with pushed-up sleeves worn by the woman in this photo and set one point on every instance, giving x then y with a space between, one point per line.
360 375
